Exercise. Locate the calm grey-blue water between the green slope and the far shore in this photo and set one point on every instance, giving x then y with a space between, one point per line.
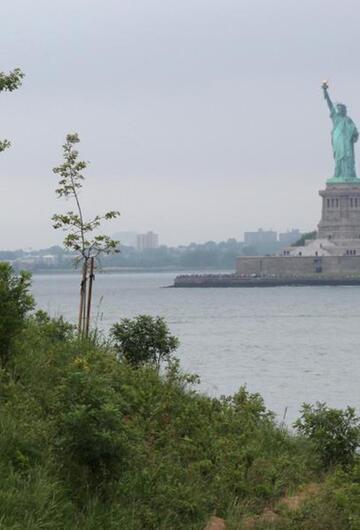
291 344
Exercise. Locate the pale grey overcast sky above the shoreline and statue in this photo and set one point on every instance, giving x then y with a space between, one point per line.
201 118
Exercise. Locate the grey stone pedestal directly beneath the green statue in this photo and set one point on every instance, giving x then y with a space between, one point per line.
340 211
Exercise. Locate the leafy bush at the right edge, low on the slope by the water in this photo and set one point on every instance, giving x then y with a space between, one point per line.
334 432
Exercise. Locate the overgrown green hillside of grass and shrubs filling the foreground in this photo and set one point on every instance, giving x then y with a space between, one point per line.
88 441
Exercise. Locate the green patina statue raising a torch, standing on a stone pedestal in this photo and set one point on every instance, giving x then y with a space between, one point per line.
343 136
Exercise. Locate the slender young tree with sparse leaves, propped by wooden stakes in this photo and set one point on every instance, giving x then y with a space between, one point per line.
80 237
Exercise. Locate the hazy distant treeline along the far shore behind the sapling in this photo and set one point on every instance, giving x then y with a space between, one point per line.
196 255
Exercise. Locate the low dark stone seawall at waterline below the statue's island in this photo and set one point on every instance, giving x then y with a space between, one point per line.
235 280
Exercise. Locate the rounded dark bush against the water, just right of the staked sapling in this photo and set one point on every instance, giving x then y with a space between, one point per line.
143 339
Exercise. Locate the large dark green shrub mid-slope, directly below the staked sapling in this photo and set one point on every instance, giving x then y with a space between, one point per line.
92 439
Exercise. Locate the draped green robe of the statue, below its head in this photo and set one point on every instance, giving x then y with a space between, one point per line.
344 135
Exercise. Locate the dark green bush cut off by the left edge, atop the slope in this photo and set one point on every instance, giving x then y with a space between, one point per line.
15 304
